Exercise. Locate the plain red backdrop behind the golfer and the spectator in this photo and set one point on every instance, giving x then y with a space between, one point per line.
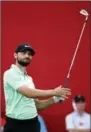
53 29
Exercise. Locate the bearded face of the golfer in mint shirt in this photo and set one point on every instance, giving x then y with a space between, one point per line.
23 58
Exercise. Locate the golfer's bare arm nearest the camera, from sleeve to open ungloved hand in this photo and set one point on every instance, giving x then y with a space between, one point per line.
35 93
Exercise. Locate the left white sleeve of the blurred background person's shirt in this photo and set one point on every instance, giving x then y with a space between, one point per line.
69 122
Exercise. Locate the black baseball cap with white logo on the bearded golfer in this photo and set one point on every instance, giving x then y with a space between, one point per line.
23 47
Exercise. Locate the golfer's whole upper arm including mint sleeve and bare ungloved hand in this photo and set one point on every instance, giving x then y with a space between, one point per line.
28 91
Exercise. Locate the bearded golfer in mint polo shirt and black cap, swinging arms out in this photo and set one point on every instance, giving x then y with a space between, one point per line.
21 95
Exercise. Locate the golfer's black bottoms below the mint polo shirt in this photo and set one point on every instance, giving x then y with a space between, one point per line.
14 125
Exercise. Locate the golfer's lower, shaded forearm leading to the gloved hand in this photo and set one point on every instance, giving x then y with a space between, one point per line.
43 104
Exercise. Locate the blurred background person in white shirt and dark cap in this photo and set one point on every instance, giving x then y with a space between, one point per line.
78 120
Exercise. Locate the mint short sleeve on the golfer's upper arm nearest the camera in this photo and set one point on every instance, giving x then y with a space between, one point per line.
13 80
